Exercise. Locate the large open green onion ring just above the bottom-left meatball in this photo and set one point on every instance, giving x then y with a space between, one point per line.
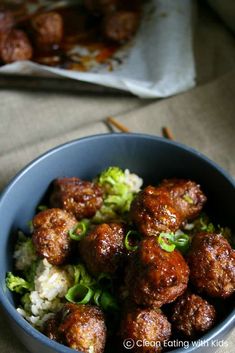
79 294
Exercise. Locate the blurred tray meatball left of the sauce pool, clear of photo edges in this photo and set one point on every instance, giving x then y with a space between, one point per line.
48 29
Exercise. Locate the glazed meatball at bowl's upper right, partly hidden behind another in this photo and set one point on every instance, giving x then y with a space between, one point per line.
186 196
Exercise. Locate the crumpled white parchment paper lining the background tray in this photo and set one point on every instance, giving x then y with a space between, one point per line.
159 63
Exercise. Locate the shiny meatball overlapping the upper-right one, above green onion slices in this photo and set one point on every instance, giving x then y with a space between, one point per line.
153 212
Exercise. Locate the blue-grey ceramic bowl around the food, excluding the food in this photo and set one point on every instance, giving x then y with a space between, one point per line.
150 157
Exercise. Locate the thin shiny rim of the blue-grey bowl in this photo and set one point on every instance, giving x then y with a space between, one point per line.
30 330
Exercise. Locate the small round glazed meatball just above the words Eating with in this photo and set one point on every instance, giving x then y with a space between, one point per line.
192 315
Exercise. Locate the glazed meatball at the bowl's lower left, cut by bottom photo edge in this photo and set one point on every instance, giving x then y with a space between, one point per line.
80 327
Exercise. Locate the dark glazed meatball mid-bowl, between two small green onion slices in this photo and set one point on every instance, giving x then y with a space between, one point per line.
102 249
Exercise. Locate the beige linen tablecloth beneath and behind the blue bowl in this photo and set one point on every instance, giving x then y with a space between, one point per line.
202 118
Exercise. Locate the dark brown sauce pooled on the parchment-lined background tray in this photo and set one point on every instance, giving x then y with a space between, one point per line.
83 29
